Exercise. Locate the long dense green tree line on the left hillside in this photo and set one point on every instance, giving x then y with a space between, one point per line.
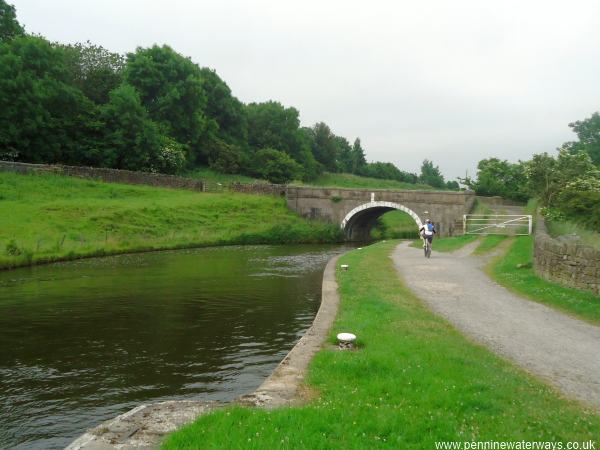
156 110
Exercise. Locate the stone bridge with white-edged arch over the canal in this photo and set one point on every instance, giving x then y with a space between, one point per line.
356 210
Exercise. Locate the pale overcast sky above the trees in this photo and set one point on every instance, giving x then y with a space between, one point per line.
452 81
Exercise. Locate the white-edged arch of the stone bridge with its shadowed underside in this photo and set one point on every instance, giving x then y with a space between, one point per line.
358 223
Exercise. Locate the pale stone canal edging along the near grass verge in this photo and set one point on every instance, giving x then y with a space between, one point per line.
144 426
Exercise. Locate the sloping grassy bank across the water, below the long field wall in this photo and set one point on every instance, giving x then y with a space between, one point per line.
47 217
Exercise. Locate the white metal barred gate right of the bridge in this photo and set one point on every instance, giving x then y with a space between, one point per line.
512 225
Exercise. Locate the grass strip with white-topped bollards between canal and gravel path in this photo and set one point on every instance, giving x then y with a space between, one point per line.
413 381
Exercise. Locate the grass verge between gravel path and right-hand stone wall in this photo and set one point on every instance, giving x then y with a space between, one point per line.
525 282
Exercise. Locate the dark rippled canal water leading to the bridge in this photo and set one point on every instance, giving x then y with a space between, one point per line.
84 341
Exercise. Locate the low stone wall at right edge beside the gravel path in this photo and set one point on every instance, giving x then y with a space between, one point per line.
566 262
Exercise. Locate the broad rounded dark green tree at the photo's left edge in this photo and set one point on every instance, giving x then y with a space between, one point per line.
43 117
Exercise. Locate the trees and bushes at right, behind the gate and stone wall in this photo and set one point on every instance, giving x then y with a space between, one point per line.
567 185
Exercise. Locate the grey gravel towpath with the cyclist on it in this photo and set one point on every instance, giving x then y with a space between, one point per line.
560 349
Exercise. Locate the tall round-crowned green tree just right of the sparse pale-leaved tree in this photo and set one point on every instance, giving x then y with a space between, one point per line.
171 89
